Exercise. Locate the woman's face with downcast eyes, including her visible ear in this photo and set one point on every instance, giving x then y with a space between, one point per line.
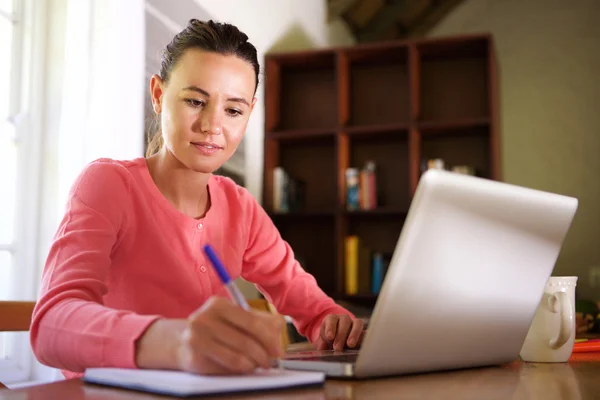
204 107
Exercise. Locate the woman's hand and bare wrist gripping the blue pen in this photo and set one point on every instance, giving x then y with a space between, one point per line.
219 338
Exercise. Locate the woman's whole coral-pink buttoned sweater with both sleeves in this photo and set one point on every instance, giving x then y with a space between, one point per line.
123 256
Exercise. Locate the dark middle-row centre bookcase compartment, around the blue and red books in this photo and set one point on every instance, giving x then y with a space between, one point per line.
390 154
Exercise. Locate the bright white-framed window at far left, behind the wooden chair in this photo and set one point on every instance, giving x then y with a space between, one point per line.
18 176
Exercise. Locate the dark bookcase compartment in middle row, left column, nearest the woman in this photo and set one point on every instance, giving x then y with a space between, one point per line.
314 163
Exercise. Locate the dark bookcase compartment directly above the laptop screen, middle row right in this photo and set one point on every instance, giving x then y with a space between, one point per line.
468 146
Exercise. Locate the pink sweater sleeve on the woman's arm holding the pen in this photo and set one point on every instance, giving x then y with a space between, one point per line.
71 329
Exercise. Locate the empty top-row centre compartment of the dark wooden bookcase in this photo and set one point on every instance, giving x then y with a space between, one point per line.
379 85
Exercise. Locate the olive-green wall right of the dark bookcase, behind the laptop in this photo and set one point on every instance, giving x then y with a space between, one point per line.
549 61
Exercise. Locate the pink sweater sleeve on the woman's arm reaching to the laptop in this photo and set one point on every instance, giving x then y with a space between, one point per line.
269 262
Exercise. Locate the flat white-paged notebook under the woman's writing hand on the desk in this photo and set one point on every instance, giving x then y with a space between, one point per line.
183 384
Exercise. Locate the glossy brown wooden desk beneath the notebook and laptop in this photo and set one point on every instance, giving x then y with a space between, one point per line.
578 379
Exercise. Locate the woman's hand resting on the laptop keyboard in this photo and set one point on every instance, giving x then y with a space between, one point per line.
339 330
